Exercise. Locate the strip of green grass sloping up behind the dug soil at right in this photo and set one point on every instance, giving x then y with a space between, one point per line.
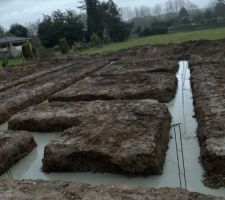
207 34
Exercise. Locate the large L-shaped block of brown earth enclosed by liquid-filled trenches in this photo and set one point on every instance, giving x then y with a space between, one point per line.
109 135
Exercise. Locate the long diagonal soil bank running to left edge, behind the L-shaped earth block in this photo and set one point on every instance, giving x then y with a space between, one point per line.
38 90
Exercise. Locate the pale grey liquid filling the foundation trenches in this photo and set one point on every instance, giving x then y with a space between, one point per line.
182 111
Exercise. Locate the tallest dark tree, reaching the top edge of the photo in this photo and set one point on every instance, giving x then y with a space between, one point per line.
104 19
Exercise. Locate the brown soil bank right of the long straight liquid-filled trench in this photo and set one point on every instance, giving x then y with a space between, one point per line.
208 85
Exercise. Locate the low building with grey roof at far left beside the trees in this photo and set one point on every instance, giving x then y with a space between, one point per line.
11 46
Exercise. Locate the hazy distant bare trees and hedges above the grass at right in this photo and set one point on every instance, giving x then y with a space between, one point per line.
178 15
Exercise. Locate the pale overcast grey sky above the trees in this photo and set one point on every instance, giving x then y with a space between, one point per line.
25 11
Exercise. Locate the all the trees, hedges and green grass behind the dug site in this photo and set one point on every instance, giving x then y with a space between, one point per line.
102 27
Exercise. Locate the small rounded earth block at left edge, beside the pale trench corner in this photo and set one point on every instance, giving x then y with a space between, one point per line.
13 147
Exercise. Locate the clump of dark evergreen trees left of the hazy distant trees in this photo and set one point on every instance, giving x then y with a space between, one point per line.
100 21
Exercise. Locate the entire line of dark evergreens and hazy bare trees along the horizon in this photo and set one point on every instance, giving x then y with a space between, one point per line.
104 22
